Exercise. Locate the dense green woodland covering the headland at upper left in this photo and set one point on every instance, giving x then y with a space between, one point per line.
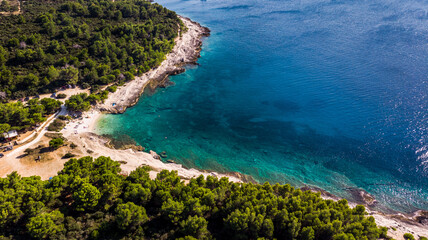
84 42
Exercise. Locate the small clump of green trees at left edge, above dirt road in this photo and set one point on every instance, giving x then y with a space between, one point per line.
18 116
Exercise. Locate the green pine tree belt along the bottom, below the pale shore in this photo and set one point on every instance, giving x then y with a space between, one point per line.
91 199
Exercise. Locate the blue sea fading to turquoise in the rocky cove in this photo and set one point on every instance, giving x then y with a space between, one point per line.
325 93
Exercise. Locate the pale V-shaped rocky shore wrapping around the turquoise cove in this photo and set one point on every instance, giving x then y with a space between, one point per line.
82 133
